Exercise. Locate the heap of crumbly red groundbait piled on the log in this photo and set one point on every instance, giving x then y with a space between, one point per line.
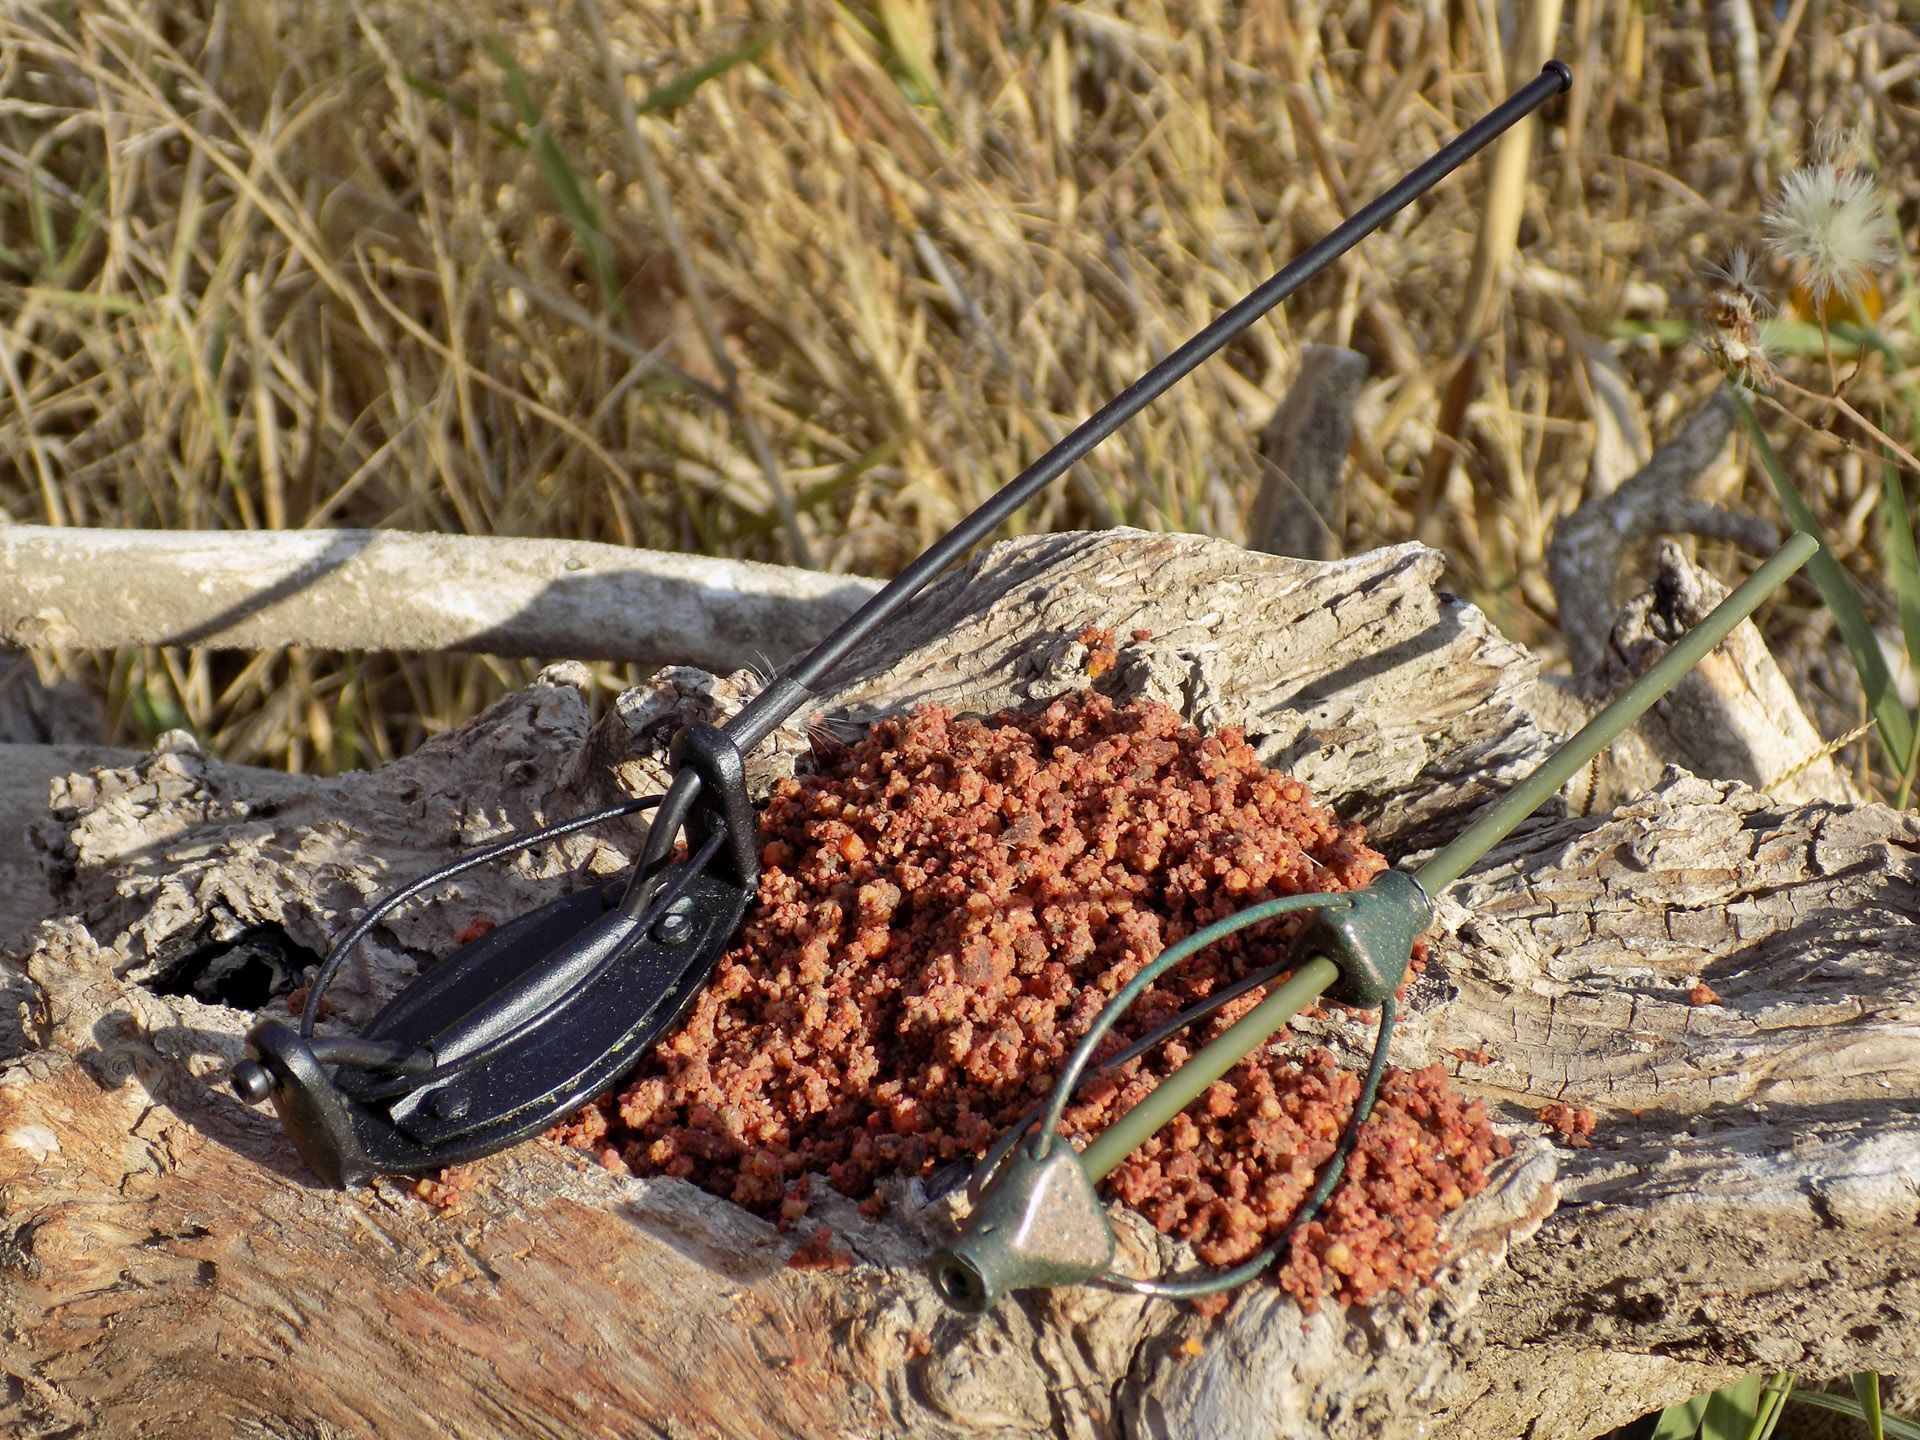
948 907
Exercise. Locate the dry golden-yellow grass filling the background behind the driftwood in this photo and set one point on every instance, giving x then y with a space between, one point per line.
379 264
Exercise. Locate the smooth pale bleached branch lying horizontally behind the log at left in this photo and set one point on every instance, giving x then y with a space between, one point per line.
389 590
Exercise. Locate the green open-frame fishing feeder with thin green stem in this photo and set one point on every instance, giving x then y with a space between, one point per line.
1038 1220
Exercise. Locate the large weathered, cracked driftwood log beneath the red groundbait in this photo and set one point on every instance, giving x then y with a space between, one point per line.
1748 1201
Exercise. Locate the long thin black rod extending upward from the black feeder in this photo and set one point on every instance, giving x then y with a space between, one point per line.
792 690
